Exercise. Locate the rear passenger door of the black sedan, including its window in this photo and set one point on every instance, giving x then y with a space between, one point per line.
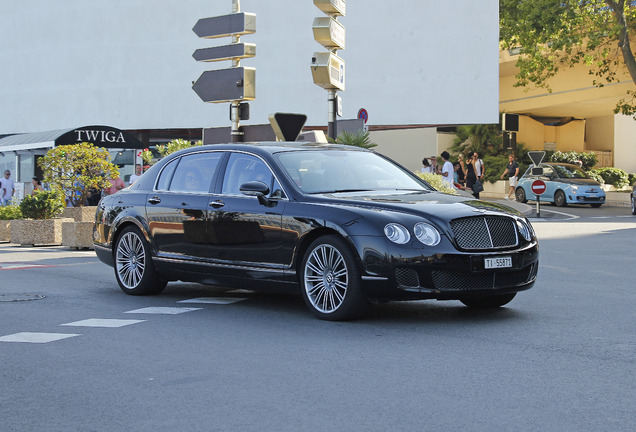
177 209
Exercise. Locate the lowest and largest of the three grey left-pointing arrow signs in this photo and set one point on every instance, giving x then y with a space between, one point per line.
226 85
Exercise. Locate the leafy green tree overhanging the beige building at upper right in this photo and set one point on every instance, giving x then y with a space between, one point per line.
555 34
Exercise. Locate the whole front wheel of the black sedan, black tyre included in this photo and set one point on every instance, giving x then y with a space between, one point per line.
330 280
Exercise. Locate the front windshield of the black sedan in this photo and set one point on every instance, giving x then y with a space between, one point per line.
323 171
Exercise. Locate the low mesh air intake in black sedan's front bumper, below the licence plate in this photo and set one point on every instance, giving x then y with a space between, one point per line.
453 281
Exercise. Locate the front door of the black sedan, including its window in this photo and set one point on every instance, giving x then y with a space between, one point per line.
241 230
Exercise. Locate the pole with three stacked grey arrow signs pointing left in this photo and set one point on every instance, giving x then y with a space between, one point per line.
235 84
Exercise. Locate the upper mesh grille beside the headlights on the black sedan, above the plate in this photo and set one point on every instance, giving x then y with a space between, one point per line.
485 232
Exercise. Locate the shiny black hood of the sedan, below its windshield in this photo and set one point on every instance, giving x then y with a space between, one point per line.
434 205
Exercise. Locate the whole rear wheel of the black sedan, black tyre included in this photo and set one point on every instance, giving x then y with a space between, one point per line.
133 264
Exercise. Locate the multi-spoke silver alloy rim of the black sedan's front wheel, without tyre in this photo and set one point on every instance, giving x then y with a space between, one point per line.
326 278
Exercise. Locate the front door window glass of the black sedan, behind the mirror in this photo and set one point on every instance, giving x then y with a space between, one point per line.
242 168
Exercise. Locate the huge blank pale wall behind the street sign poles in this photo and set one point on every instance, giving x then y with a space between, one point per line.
128 63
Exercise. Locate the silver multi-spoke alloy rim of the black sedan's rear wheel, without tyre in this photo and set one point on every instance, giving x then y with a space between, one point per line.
130 260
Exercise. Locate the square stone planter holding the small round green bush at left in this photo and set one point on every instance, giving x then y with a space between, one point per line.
37 232
